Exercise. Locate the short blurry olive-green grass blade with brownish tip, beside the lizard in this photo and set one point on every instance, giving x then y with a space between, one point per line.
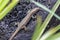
39 22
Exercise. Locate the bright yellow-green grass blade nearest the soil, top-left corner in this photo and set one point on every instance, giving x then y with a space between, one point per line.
8 8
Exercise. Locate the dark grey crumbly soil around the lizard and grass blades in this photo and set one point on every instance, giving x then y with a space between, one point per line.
8 26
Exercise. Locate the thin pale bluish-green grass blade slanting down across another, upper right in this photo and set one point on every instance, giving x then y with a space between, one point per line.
45 8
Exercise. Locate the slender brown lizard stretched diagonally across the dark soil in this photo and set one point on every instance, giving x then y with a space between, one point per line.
24 22
